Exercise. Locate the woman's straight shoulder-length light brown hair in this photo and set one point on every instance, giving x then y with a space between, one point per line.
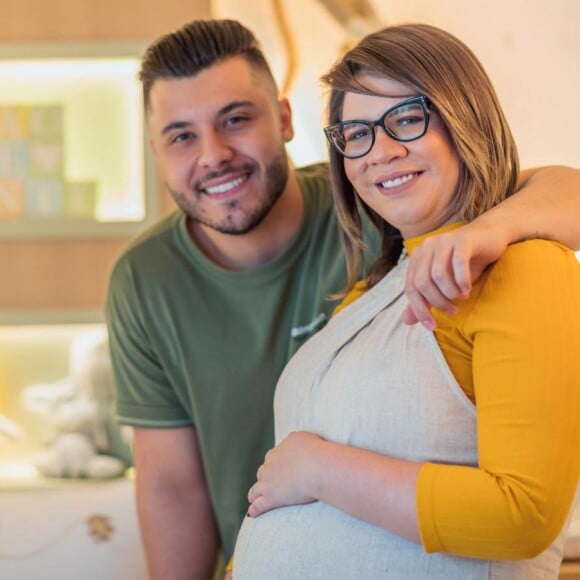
438 65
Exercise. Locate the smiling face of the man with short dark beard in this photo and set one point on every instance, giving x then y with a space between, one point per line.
218 139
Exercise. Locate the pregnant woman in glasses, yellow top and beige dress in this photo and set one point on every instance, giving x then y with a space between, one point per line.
404 453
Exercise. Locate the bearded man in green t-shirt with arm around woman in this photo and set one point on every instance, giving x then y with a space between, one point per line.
205 308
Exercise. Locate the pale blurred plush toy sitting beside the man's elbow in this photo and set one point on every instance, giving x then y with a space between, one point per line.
87 441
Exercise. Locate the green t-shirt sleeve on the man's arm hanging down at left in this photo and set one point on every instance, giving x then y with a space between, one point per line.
144 395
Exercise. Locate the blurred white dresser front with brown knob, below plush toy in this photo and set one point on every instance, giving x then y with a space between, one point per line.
69 529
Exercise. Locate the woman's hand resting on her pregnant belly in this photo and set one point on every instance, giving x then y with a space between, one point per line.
287 475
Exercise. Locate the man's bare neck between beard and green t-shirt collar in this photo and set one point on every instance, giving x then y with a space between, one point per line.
263 243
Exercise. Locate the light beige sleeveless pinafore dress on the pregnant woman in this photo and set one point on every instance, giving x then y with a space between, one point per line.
370 381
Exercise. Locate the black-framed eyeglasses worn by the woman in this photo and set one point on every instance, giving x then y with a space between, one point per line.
406 121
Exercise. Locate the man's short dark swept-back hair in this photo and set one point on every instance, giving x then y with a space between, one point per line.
197 46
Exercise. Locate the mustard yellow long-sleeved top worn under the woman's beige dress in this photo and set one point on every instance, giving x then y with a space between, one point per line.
514 347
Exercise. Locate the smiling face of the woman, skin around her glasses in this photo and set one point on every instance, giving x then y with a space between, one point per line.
409 184
